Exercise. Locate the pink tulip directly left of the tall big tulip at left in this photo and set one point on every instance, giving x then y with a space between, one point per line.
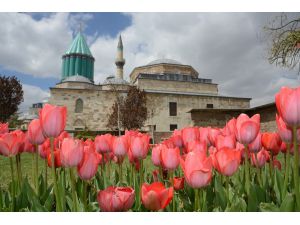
35 133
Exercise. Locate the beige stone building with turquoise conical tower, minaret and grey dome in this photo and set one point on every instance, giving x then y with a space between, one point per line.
173 91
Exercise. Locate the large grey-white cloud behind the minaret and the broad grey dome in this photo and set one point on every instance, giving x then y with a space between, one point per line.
230 48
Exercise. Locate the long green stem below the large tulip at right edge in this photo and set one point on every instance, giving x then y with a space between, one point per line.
296 167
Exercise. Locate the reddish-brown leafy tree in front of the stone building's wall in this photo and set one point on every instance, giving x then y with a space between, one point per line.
132 110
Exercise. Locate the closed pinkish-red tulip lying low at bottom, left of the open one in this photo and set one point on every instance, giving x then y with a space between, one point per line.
116 199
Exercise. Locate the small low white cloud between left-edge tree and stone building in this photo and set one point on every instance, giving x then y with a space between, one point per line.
32 94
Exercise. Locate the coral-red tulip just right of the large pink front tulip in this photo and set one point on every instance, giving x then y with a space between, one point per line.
226 161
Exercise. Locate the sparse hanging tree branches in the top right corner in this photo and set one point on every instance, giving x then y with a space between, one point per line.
285 36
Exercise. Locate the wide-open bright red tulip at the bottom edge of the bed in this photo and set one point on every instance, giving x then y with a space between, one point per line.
156 196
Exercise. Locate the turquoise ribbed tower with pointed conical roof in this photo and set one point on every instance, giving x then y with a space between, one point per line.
78 60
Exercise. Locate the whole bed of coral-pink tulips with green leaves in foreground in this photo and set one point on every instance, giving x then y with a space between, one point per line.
233 168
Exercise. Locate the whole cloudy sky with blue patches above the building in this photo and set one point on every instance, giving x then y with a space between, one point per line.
230 48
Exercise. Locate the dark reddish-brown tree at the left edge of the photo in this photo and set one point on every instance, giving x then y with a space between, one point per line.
11 95
